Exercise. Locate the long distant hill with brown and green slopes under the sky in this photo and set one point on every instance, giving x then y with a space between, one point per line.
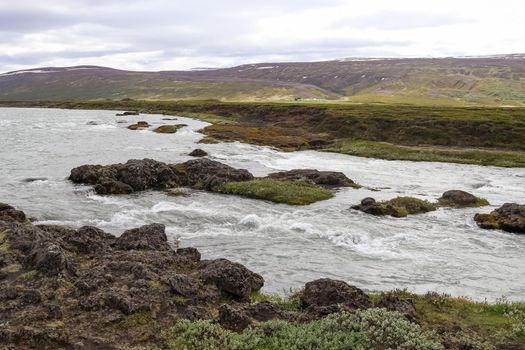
491 80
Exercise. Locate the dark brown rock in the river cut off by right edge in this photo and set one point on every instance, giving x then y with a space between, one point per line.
509 217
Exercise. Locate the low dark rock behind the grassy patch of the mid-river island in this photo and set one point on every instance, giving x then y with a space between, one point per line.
328 179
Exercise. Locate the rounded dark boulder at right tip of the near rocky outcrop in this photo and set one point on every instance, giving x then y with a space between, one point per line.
232 278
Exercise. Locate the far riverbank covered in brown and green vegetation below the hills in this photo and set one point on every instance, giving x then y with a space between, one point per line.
484 136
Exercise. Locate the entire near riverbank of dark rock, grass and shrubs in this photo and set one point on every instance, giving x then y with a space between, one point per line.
85 288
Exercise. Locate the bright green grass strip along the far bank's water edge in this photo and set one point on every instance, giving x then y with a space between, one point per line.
382 150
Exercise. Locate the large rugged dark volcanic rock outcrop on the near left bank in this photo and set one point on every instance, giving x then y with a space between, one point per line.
102 291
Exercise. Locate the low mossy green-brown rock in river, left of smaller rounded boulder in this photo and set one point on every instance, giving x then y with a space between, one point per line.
396 207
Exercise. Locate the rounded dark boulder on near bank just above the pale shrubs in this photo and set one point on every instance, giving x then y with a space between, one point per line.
327 292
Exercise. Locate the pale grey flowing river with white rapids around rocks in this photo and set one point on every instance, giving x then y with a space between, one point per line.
440 251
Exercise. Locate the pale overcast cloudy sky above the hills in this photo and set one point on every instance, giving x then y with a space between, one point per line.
176 35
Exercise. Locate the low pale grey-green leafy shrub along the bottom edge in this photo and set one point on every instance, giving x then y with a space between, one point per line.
365 329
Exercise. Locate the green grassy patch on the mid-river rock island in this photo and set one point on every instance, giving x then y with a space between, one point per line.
296 192
